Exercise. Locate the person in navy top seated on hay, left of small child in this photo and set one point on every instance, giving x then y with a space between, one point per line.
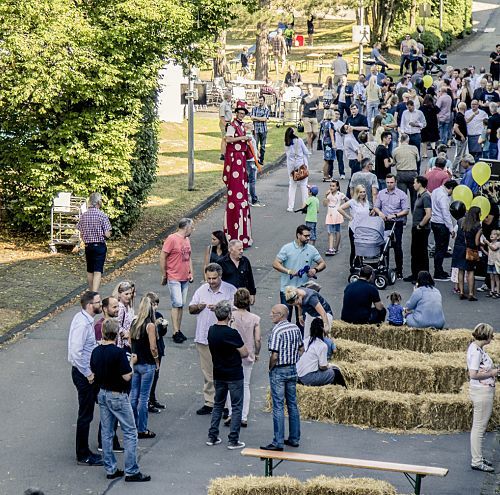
359 296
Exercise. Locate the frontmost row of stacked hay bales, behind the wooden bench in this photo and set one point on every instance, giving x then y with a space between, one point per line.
389 410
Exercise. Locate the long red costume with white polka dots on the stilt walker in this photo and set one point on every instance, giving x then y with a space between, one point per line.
237 221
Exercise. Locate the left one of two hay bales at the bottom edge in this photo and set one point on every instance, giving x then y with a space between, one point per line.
255 485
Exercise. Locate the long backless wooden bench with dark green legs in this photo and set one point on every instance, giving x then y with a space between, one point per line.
420 472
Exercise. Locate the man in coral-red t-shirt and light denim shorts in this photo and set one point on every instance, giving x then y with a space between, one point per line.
177 271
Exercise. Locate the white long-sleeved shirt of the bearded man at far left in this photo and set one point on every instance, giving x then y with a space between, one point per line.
81 342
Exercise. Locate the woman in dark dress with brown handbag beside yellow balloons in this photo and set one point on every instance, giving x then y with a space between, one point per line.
466 252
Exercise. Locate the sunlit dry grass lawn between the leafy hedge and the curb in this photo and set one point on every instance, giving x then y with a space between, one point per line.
31 278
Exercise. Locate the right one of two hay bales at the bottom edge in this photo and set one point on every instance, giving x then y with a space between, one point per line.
323 485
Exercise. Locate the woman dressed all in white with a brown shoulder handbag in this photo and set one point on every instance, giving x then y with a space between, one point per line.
297 166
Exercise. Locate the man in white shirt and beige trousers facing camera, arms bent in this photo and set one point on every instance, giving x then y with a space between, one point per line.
202 304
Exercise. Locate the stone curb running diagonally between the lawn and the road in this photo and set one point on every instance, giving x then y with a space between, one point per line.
197 210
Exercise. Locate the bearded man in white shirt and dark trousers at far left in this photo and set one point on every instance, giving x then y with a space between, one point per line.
81 343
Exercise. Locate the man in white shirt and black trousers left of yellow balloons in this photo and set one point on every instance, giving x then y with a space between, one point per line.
442 225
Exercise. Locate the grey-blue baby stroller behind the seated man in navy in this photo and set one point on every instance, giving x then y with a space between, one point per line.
372 246
